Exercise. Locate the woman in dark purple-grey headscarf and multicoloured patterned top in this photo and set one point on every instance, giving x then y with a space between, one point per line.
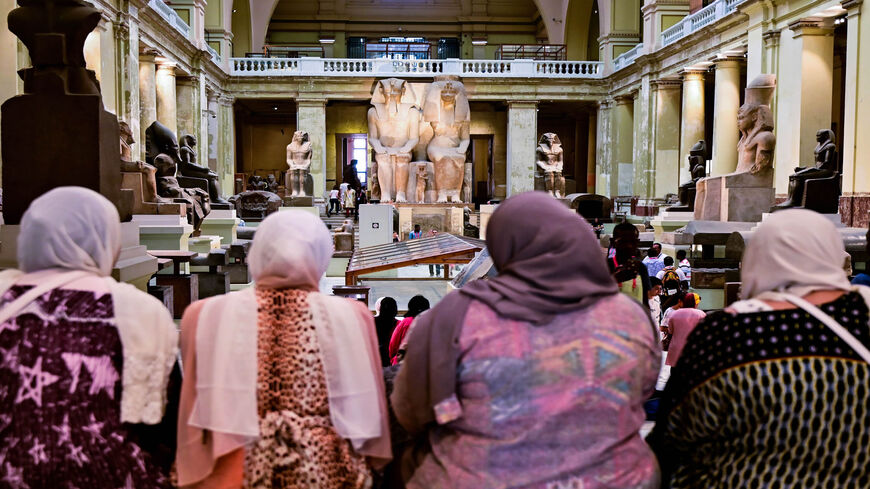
534 378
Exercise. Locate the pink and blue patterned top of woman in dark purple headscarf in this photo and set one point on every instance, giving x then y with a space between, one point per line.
560 402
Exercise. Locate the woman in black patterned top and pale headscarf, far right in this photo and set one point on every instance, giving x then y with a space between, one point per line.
773 391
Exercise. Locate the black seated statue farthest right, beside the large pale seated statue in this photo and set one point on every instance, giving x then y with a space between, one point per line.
825 156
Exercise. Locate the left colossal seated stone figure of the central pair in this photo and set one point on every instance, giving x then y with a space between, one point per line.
394 123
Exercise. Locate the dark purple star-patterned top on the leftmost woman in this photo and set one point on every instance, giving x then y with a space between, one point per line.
60 393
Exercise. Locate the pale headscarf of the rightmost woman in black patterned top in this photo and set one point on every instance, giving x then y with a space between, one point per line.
795 251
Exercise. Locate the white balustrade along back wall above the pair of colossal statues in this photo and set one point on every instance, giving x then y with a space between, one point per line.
466 68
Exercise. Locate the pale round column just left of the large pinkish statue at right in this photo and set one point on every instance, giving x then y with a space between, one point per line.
727 101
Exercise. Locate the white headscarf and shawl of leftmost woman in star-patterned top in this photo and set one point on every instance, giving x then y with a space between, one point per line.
73 233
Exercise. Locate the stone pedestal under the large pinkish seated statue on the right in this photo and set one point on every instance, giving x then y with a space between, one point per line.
738 197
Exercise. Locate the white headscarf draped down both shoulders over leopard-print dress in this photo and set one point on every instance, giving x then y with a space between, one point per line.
291 249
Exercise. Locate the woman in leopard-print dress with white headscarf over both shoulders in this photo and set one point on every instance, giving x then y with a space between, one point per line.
282 384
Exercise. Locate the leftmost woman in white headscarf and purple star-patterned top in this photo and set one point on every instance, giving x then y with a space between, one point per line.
84 360
